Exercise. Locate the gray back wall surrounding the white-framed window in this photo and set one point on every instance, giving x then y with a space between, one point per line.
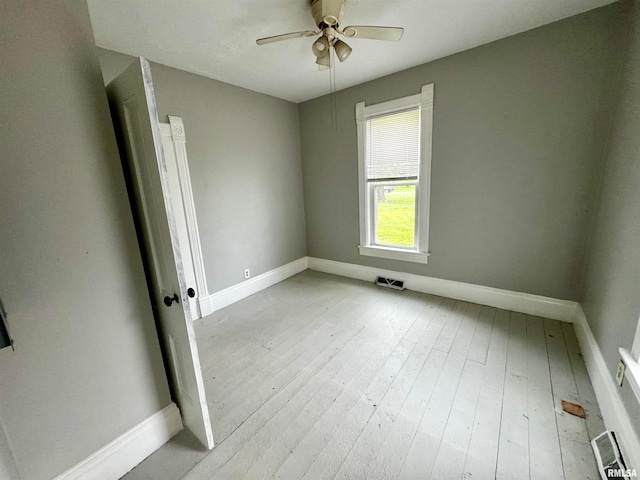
517 147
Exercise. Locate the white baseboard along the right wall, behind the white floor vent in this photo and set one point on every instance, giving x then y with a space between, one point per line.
613 411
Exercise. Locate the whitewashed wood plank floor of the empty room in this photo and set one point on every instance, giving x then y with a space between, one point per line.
323 377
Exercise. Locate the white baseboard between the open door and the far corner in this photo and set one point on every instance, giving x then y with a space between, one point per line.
230 295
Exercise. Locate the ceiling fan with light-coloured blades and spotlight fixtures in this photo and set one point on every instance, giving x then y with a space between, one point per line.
328 15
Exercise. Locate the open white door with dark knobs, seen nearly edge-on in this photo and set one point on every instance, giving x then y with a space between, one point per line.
133 103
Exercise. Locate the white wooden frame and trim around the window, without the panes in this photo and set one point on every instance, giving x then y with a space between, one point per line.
368 247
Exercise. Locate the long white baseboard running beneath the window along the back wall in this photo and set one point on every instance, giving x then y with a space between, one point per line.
562 310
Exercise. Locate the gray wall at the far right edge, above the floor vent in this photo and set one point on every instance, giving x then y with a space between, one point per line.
611 297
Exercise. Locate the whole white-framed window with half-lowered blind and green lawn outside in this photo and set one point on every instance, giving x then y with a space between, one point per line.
394 155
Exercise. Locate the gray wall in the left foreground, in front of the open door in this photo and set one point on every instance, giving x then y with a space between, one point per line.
87 365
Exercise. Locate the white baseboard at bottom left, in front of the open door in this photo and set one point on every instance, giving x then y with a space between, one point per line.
120 456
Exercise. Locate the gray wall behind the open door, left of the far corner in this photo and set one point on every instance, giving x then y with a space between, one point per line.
244 157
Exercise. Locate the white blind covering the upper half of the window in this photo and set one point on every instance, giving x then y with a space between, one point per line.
393 150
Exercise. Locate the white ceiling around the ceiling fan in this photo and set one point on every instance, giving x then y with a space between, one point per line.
216 38
